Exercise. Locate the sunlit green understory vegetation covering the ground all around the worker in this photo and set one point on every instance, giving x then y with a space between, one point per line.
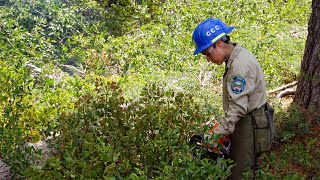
114 90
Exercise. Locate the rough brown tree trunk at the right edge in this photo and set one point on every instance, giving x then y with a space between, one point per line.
308 88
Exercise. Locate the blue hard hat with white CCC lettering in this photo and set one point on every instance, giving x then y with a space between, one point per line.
208 33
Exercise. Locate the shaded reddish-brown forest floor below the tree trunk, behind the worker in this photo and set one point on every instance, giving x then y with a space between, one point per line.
298 156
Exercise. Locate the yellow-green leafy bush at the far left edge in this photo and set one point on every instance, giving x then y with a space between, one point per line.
15 88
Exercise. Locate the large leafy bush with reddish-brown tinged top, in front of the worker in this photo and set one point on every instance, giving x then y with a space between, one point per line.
105 136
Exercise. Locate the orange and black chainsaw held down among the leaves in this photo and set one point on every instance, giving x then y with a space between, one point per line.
210 145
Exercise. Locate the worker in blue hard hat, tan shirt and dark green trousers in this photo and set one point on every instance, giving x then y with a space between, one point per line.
244 94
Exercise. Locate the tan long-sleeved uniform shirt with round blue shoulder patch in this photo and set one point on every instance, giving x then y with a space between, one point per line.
244 88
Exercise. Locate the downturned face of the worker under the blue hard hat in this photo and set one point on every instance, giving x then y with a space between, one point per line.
215 55
